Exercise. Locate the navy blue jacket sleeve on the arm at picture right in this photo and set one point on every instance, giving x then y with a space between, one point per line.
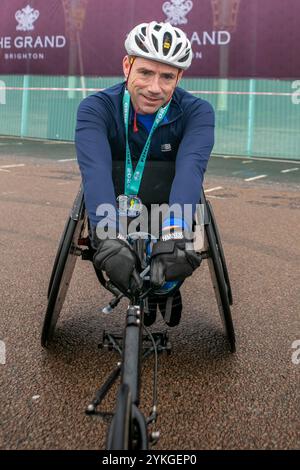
193 154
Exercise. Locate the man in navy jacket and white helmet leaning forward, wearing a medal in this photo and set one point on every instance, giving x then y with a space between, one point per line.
123 132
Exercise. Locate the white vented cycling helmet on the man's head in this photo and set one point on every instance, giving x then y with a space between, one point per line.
161 42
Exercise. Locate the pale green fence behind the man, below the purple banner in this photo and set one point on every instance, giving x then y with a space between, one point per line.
253 117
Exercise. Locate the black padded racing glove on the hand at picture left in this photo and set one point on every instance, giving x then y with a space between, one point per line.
119 261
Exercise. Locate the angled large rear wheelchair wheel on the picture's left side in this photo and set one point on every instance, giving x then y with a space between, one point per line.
63 268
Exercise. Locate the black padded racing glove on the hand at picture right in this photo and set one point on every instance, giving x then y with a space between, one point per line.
171 259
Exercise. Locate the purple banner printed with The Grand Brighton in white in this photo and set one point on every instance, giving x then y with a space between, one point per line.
230 38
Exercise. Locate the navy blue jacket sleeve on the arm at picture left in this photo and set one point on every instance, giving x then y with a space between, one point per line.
94 155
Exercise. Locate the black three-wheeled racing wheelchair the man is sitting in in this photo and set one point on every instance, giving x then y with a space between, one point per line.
129 429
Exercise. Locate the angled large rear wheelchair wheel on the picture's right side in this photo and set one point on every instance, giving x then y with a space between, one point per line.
219 282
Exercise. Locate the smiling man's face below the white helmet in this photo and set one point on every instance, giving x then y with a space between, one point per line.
150 84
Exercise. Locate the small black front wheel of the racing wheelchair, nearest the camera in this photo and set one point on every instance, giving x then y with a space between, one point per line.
128 429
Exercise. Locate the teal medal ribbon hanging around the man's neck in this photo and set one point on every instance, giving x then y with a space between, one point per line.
133 179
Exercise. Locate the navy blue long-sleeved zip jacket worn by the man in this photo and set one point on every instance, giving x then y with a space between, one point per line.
186 135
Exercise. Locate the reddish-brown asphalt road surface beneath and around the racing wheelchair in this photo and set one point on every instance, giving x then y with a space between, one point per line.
208 398
